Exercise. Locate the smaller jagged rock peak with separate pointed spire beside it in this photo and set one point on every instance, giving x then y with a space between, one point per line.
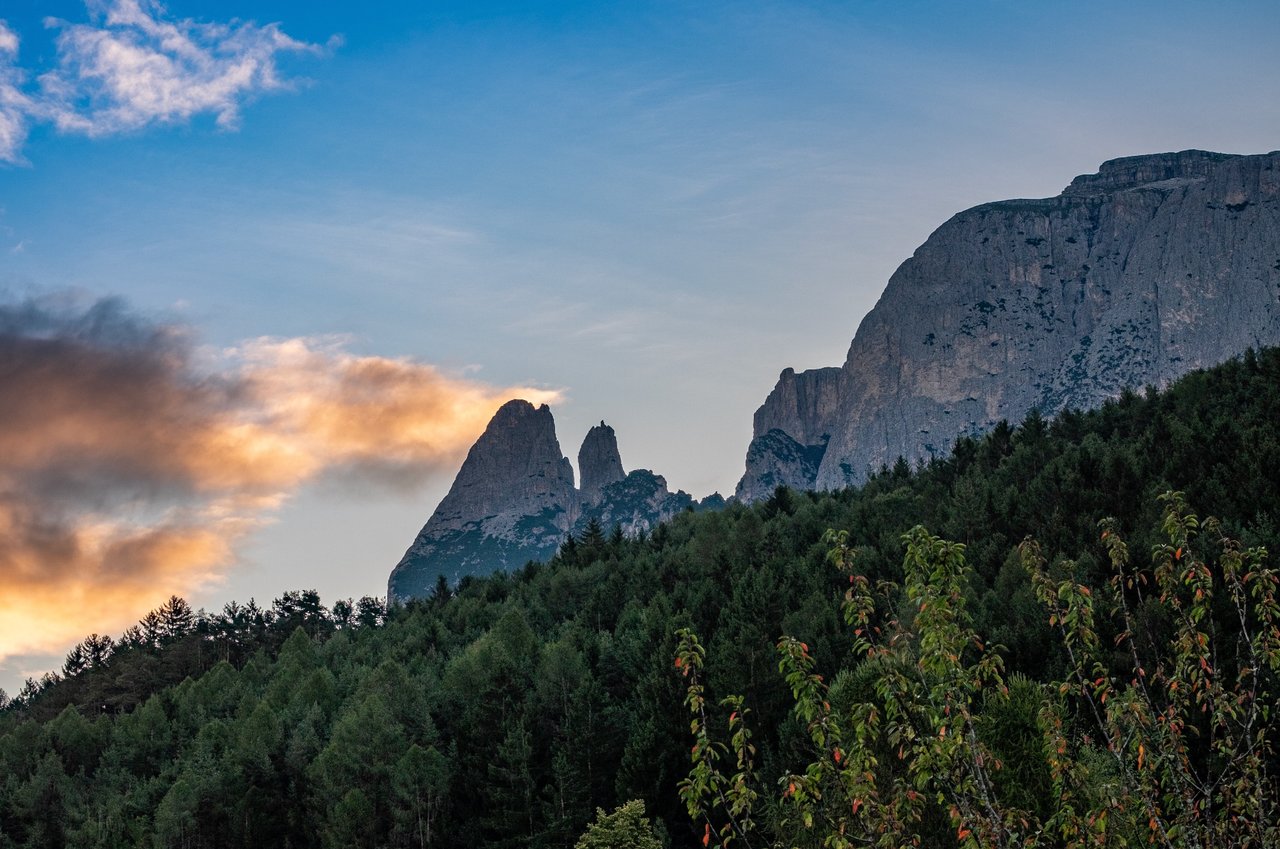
514 501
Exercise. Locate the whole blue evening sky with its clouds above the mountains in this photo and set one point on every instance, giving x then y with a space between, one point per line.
268 267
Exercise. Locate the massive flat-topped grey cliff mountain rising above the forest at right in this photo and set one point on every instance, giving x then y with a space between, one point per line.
1151 268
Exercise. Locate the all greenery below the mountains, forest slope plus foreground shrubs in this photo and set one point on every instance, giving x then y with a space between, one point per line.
506 711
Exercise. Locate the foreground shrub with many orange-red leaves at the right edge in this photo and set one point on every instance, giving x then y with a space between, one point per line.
1187 724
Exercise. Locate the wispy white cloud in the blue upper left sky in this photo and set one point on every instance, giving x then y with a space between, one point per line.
131 69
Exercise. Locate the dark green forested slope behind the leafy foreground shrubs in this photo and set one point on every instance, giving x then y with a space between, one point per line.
505 711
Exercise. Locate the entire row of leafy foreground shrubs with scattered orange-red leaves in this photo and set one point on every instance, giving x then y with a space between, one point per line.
1173 743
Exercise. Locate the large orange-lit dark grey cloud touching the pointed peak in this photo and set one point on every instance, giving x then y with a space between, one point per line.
132 463
